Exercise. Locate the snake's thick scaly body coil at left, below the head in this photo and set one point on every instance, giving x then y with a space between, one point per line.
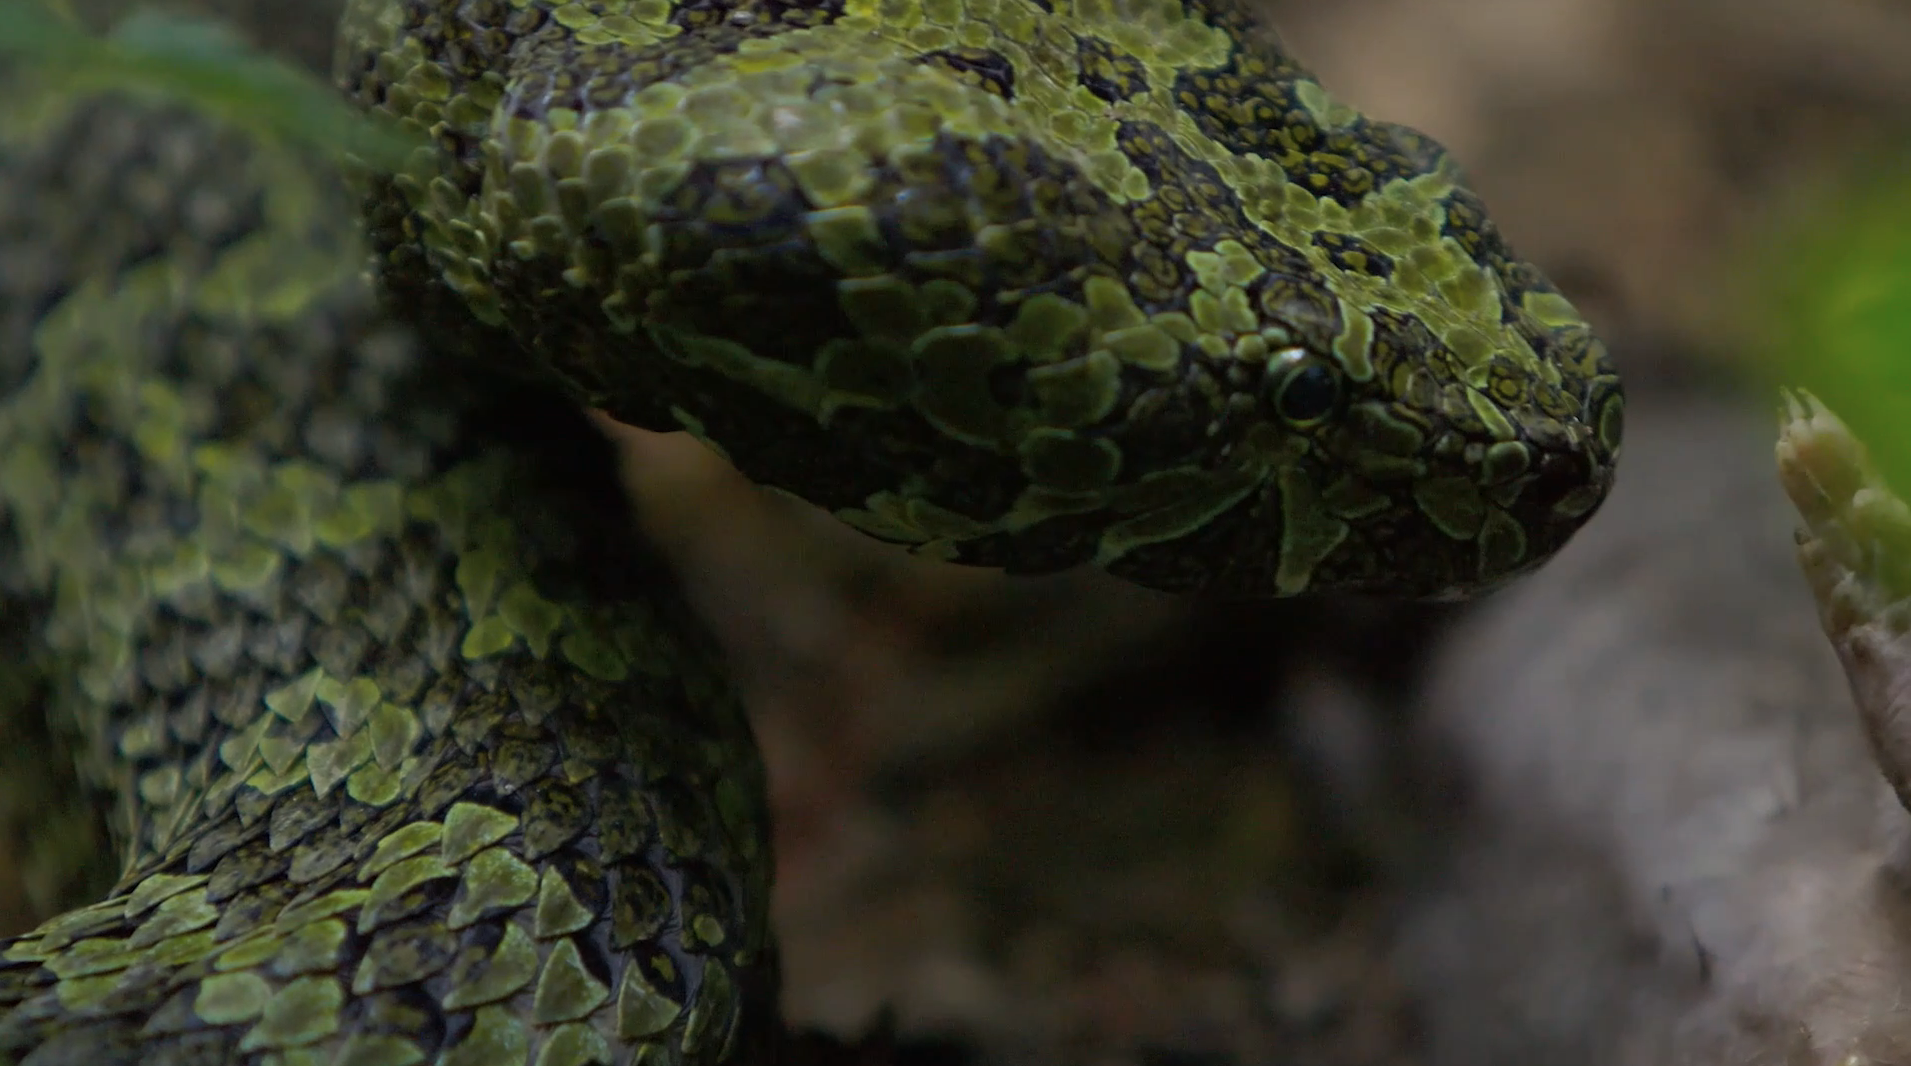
412 750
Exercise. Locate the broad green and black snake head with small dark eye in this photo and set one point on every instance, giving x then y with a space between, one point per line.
1023 284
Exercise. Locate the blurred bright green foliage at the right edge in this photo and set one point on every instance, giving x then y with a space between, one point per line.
1832 305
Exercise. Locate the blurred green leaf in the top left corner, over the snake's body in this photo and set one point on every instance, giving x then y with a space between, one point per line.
202 62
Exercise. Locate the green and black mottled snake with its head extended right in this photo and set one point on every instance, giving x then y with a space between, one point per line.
410 748
